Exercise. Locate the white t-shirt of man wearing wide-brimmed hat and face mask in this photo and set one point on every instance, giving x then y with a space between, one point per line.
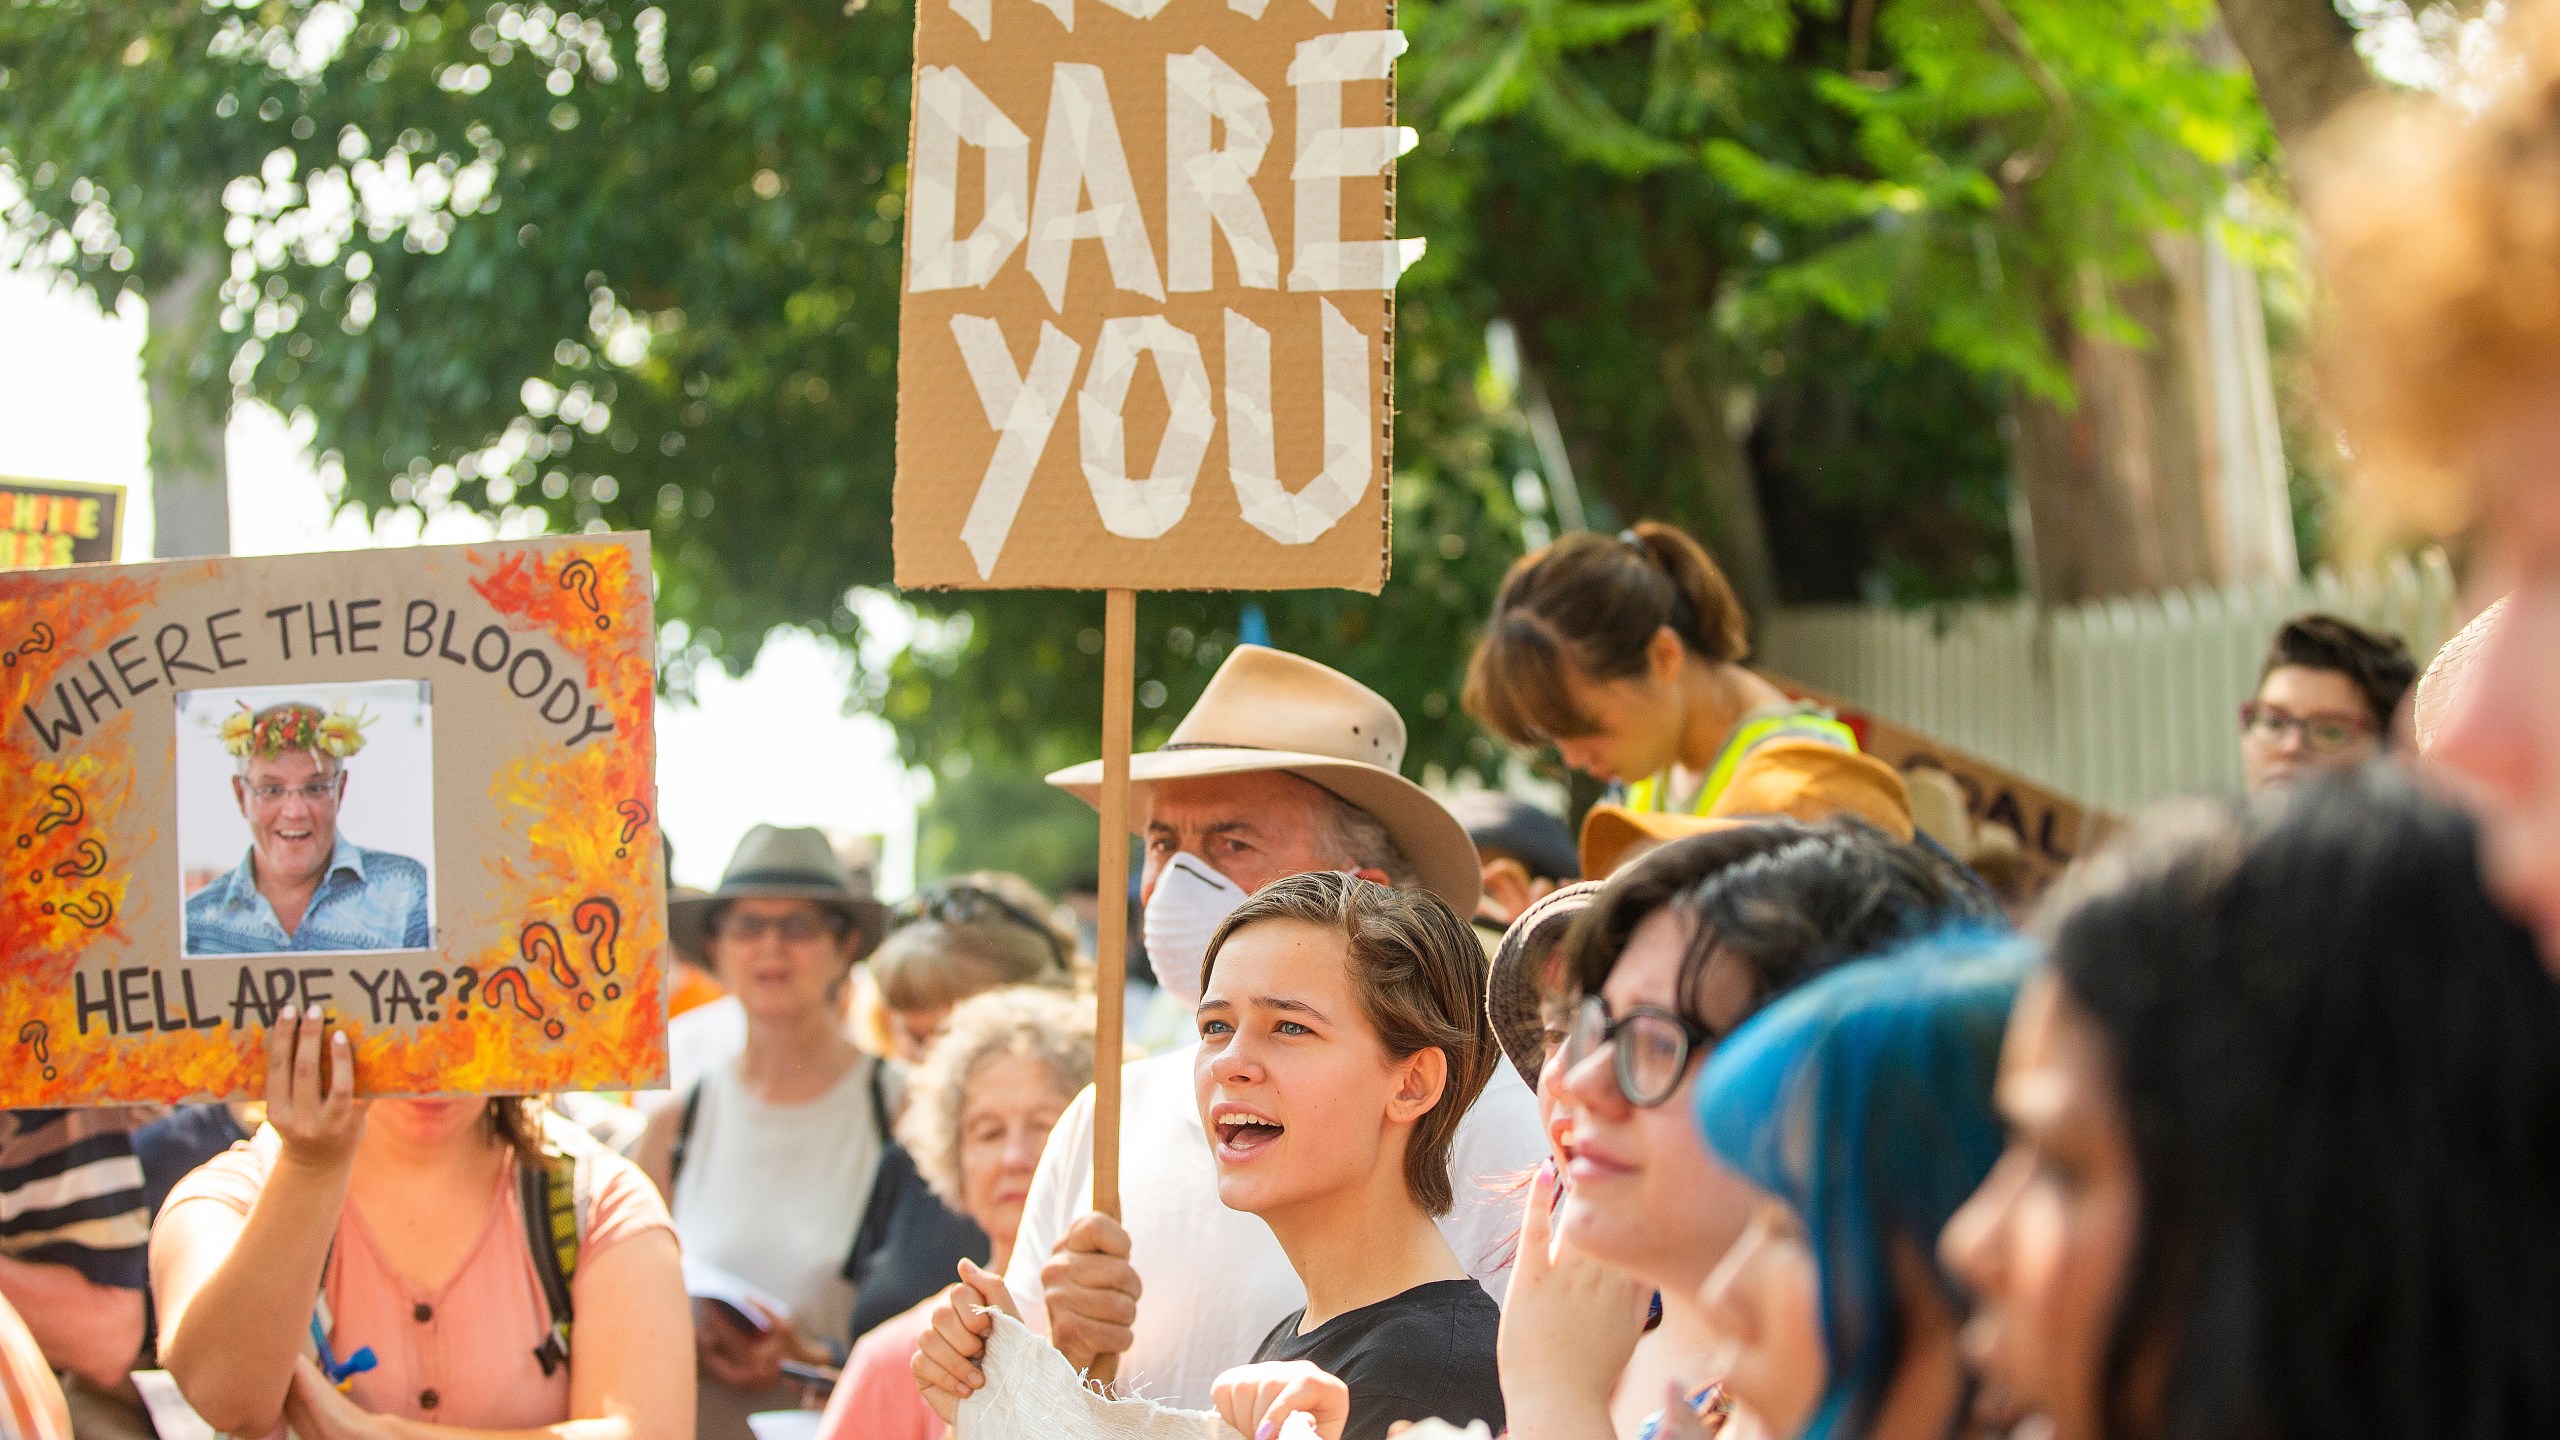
1212 1280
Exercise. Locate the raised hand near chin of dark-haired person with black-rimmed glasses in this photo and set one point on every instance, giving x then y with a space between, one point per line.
1568 1329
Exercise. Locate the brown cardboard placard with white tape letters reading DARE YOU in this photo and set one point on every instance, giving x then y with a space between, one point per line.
1151 291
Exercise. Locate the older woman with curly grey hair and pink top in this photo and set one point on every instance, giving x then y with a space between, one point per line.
977 1116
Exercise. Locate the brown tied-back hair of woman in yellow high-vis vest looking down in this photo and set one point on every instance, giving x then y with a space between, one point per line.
1591 606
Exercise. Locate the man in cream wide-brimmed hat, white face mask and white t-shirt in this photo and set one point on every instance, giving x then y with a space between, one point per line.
1284 767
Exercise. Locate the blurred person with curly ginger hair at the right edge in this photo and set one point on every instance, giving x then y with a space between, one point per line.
2438 234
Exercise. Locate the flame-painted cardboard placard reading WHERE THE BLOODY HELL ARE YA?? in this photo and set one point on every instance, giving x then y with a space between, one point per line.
413 788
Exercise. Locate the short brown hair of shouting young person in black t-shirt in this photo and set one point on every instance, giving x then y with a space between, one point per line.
1422 985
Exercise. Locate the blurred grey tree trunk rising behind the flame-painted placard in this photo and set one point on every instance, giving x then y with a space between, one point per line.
191 411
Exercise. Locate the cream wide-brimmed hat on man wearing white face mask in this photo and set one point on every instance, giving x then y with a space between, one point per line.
1271 711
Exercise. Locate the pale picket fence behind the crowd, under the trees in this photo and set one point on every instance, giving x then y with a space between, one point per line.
2116 703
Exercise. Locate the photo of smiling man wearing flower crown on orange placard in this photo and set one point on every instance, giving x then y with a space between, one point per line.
303 883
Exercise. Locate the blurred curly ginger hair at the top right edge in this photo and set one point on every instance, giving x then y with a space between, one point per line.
2438 242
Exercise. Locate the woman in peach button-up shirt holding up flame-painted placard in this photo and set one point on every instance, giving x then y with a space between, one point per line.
401 1221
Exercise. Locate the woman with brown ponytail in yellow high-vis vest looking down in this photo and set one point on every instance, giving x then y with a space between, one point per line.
1624 655
